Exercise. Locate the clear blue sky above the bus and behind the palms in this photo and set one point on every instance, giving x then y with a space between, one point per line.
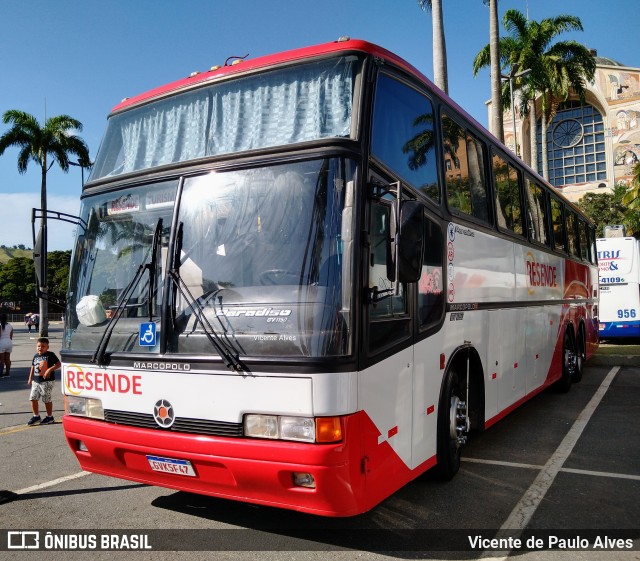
82 57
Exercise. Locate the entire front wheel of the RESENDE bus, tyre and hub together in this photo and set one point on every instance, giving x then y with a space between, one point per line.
452 427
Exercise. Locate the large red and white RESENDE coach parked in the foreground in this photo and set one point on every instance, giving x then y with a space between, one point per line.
305 278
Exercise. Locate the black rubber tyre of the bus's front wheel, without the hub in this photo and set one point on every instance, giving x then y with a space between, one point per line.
448 445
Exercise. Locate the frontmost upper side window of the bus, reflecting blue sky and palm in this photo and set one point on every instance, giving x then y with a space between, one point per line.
403 137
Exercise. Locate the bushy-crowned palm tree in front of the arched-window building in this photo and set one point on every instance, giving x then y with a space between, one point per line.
555 68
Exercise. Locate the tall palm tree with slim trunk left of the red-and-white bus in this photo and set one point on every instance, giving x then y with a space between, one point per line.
55 140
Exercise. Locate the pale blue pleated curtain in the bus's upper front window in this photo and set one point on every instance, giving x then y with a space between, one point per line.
277 108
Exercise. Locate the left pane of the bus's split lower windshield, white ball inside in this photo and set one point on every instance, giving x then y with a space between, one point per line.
108 262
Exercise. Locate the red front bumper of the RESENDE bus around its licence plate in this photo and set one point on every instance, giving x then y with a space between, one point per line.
251 470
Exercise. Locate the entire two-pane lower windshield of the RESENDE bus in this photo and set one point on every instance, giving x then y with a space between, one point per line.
261 257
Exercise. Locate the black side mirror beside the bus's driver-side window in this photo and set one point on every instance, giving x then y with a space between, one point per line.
407 243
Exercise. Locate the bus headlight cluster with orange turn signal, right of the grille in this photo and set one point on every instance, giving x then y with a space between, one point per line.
302 429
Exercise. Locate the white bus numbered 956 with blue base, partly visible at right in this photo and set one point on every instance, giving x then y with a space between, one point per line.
619 271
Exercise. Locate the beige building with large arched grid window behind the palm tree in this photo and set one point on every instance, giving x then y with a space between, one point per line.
590 147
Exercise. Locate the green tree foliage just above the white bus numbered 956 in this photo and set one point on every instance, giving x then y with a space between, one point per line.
609 208
